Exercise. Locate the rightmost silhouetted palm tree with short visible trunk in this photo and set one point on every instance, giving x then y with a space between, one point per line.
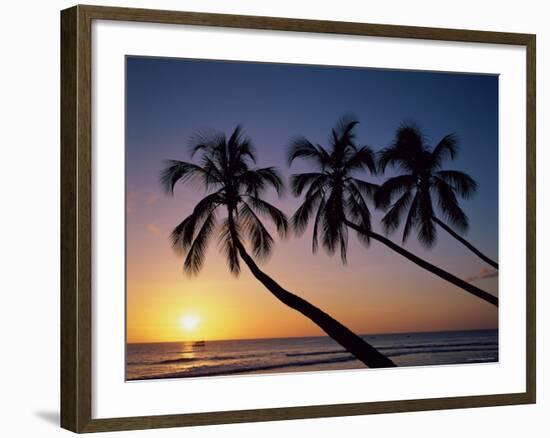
424 179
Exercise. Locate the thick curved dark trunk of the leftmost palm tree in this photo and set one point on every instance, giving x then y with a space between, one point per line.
341 334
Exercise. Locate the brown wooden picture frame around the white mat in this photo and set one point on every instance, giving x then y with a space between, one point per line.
76 217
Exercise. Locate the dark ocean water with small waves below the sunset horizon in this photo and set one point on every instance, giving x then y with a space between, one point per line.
253 356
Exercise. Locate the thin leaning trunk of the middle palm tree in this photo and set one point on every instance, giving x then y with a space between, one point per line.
426 265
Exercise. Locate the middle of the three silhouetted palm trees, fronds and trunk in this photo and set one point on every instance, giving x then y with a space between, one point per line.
337 200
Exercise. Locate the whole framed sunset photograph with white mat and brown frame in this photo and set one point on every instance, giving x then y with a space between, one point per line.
268 218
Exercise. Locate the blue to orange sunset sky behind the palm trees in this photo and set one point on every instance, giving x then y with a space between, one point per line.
378 291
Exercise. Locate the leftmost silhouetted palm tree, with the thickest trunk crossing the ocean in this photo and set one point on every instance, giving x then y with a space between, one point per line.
232 209
